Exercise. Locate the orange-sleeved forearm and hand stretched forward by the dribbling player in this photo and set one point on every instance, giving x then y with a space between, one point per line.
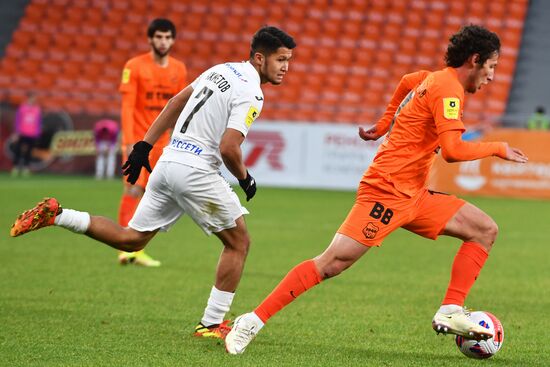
454 149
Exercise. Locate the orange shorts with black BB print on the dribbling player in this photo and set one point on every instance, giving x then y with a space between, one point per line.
377 213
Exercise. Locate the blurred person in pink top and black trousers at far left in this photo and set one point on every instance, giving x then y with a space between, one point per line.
28 126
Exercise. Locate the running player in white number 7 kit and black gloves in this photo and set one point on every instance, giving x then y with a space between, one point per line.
211 118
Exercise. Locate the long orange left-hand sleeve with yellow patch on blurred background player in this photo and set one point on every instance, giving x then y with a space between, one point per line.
128 89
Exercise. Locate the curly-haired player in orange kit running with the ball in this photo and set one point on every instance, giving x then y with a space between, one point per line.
422 119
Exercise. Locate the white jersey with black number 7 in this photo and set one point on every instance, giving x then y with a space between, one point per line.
225 96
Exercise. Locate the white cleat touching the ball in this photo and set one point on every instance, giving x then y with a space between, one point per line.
459 323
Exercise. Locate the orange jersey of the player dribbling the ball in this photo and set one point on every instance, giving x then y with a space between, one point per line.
433 106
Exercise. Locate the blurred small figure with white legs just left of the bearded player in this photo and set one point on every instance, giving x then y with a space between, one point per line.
106 139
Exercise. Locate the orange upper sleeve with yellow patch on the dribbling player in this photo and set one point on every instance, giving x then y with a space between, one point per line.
446 101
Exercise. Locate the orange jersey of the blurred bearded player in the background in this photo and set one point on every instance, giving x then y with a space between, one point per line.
146 87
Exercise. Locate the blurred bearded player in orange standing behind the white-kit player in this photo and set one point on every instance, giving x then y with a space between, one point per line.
148 82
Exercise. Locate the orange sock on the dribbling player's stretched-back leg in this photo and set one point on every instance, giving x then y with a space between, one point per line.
302 277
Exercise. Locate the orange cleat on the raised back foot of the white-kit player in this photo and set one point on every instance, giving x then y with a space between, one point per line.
42 215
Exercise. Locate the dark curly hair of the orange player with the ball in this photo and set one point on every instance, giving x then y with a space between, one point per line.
471 39
